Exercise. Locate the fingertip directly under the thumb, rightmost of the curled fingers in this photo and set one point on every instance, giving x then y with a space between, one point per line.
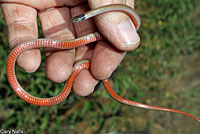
105 60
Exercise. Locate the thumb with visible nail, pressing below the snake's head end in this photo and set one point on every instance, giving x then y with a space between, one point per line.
115 26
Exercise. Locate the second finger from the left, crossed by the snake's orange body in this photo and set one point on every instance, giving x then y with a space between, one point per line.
56 24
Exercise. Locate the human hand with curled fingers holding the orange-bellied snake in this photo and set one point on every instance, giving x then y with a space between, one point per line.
55 18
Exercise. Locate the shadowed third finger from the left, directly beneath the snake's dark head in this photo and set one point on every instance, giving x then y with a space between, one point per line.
84 83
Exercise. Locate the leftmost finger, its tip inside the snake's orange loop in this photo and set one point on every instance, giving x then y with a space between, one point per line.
22 26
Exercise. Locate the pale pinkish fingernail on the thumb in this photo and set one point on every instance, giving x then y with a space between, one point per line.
127 34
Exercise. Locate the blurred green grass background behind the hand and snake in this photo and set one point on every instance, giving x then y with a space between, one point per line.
163 71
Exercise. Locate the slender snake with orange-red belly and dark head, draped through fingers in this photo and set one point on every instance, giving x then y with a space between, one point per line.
69 44
